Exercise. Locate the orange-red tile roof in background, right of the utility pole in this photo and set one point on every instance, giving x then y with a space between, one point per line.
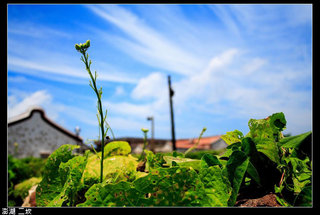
205 142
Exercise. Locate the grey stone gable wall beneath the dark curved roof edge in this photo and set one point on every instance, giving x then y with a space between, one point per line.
34 136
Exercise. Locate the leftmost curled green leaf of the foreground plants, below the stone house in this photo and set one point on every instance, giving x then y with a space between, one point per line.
51 184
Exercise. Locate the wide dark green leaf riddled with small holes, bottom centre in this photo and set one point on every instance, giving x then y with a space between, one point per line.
161 187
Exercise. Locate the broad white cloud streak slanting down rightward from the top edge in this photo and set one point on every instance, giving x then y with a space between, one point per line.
146 44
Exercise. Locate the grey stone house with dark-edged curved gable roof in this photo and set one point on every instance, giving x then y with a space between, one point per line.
34 134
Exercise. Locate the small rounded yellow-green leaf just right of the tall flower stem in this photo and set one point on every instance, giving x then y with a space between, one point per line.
117 148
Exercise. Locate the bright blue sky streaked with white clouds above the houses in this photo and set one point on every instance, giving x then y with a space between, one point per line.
228 63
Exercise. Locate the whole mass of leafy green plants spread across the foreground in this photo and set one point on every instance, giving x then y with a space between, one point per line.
262 160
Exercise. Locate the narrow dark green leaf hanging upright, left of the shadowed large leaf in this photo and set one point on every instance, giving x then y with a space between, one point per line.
236 168
